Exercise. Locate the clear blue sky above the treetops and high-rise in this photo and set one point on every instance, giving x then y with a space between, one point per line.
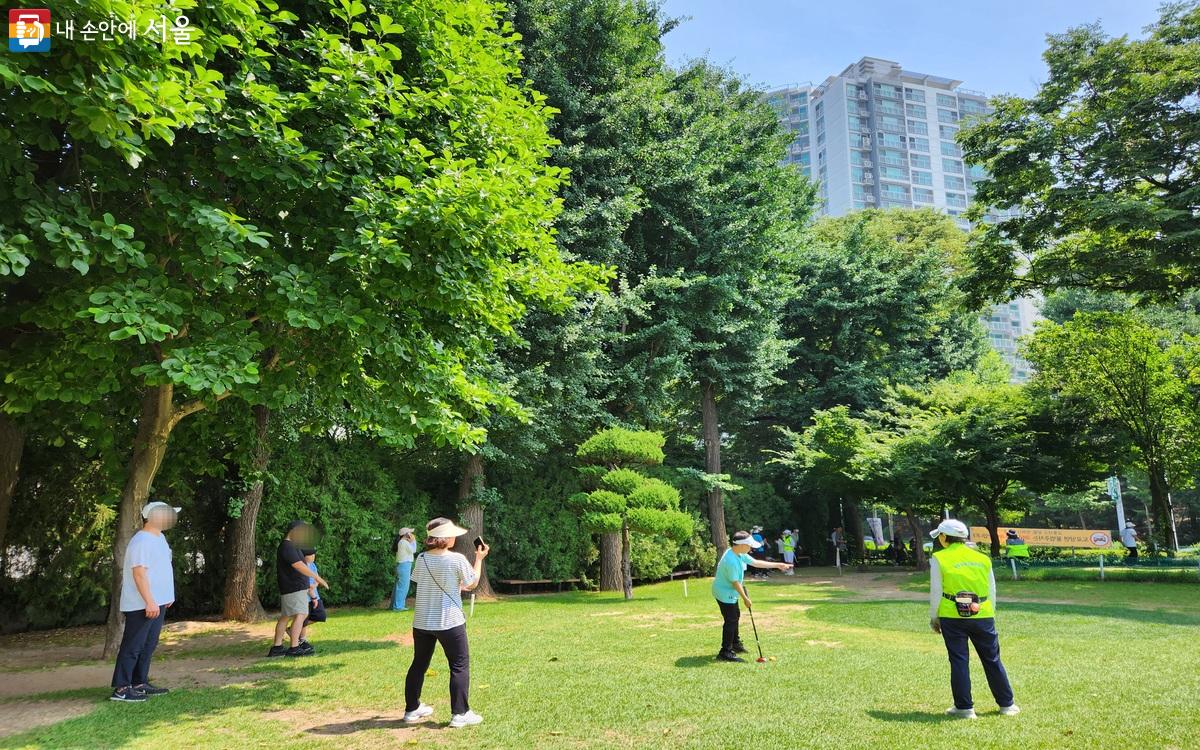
992 46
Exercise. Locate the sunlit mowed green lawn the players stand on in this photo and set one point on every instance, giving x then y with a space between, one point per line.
1113 665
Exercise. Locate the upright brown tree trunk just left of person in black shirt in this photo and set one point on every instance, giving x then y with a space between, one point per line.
242 575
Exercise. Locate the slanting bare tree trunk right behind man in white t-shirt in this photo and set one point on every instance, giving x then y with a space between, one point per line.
149 448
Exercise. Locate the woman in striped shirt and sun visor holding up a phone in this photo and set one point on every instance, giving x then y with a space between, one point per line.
441 578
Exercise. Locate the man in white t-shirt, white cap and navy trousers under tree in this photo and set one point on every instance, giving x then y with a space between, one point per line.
148 589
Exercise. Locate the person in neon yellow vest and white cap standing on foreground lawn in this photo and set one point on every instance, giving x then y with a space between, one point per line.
963 609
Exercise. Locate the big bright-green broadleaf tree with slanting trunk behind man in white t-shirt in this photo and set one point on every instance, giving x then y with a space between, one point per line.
359 197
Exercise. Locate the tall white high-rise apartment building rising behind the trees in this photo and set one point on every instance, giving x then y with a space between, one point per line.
879 136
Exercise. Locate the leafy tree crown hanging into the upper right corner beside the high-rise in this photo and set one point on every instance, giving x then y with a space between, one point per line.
1097 175
